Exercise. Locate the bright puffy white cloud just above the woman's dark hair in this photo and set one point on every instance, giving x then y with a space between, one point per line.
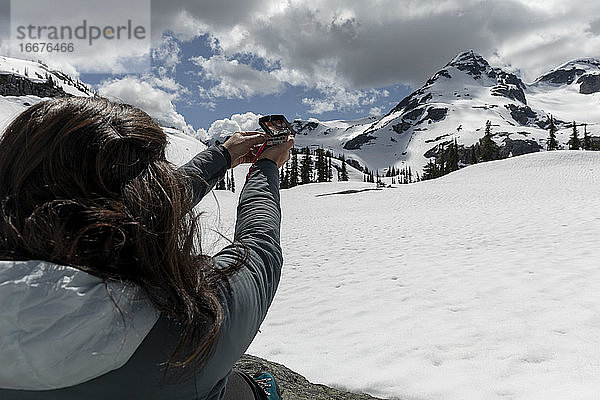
156 102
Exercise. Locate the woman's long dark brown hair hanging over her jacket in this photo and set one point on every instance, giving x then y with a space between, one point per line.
84 182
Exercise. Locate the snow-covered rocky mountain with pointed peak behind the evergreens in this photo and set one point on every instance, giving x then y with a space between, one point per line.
455 103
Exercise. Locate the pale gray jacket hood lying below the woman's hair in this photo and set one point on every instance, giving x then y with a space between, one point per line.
60 326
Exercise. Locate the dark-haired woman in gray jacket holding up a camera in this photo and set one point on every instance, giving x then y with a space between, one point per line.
104 293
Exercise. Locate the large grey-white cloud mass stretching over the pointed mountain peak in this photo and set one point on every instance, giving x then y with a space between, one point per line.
358 44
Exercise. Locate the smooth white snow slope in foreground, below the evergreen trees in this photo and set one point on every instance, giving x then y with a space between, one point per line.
482 284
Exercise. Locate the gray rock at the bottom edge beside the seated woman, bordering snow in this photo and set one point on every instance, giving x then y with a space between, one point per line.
294 385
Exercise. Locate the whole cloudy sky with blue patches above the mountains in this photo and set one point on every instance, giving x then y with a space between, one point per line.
332 59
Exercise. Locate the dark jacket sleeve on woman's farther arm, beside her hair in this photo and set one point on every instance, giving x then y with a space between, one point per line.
206 169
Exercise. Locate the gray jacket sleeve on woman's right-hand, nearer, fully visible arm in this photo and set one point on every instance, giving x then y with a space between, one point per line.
252 288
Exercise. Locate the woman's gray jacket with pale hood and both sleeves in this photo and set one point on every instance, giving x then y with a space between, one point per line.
61 336
